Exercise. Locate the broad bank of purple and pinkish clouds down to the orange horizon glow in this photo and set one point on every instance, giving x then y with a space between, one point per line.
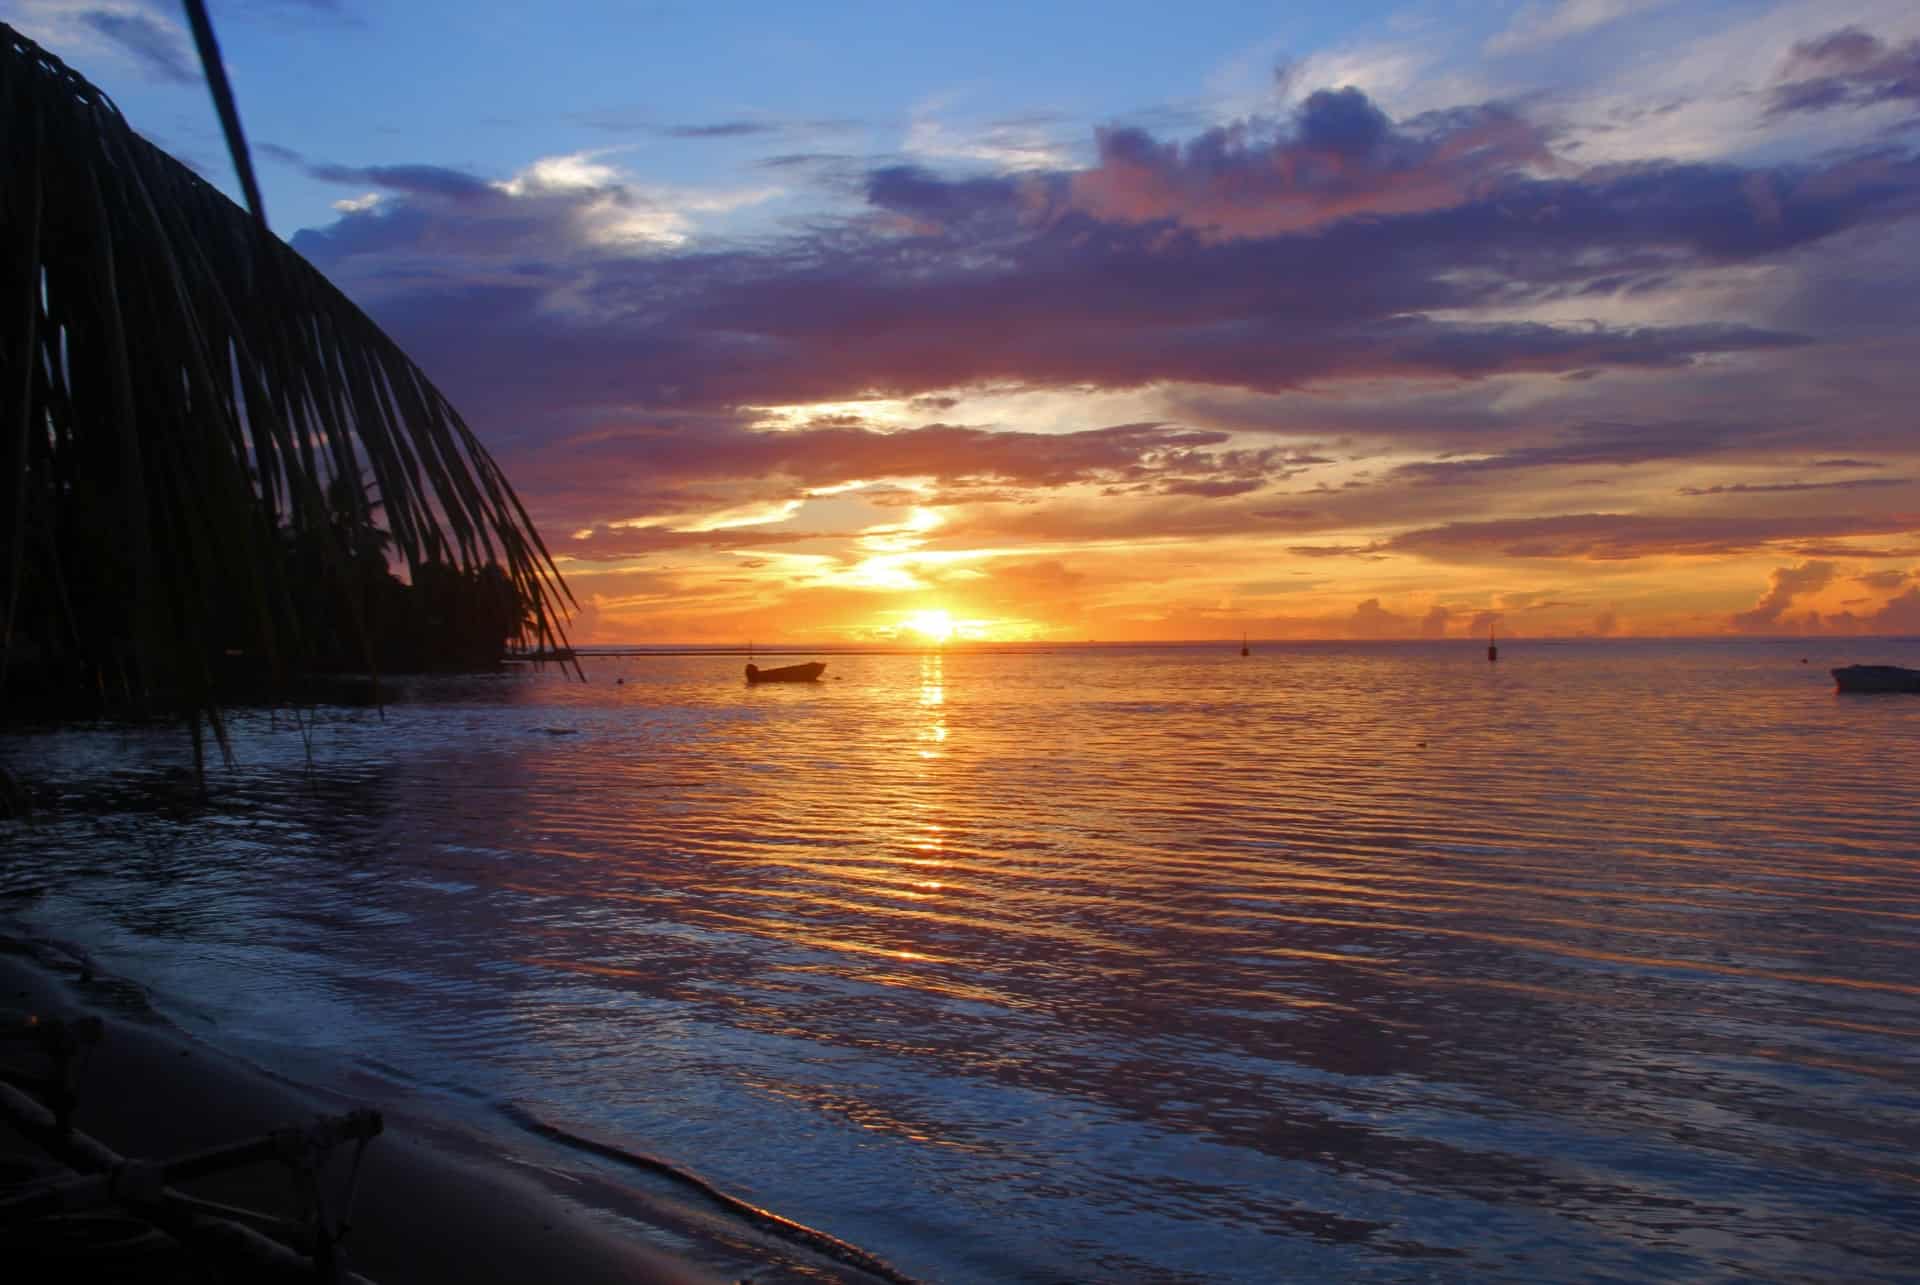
1257 266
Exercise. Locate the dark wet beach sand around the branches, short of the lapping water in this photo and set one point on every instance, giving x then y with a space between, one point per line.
423 1213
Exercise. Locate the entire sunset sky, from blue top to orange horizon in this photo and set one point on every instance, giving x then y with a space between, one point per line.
1126 320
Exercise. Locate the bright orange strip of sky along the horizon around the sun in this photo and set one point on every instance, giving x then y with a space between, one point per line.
875 568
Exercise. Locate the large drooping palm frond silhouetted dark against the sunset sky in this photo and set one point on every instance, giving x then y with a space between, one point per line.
178 387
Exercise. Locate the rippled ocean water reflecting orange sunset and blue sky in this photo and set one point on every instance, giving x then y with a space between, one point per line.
1093 965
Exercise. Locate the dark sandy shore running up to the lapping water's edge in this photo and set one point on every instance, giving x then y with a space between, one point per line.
435 1203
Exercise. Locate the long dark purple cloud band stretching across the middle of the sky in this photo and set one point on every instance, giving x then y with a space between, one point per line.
992 279
